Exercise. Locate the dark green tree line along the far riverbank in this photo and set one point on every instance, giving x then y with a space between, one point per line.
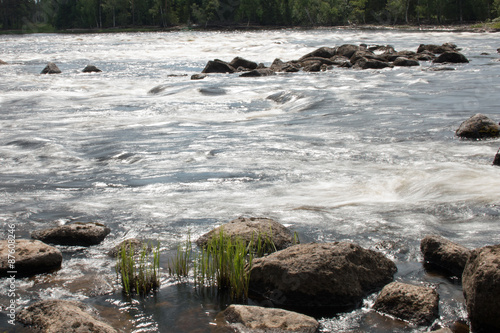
100 14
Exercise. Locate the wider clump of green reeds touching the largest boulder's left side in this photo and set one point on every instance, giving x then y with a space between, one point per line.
224 262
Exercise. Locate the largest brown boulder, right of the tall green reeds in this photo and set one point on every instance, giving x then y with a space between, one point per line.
320 277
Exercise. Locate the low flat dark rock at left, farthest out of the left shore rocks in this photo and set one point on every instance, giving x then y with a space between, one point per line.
78 233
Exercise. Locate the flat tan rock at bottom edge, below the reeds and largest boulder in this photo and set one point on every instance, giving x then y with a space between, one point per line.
244 319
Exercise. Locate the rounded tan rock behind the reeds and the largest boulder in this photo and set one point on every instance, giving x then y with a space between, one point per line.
249 228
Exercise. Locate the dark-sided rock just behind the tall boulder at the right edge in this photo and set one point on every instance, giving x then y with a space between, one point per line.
444 254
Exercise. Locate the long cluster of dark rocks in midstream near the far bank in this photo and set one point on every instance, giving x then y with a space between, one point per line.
346 56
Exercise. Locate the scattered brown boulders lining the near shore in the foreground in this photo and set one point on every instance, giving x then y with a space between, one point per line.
295 284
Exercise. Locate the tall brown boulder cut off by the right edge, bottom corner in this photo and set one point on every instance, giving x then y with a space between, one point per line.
481 286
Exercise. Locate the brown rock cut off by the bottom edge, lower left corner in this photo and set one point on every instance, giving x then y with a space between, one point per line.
62 316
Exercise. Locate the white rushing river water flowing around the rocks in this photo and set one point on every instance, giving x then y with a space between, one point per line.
364 156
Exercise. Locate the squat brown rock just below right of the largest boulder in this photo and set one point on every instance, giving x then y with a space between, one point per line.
417 304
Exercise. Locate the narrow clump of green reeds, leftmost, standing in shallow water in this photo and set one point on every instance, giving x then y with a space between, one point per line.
139 274
